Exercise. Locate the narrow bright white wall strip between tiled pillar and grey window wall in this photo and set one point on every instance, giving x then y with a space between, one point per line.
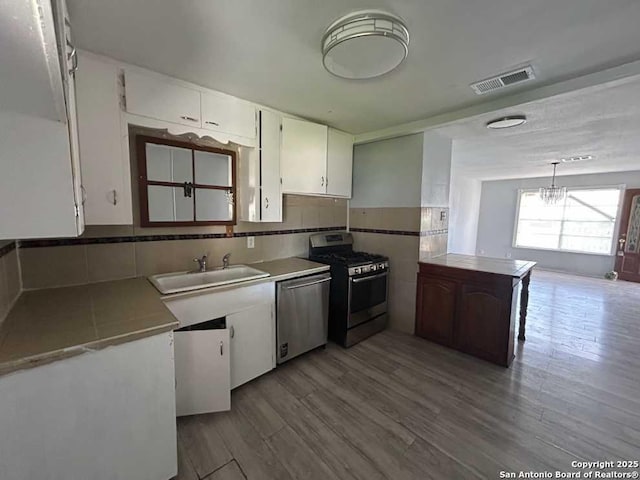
464 213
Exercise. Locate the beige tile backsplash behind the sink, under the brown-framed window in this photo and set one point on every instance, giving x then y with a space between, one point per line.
113 252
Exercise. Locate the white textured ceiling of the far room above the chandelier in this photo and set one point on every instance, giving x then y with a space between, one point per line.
602 121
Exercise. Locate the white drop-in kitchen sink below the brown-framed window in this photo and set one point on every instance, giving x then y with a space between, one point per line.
187 281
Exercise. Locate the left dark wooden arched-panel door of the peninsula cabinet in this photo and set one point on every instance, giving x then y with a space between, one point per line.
436 305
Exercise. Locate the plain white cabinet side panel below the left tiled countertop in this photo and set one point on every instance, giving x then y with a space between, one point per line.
107 414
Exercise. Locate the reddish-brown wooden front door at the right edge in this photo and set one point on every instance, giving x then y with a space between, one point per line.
628 252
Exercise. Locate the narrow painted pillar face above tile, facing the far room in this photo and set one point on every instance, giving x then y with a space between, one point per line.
436 170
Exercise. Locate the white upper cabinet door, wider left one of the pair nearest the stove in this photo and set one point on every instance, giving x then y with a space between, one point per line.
303 157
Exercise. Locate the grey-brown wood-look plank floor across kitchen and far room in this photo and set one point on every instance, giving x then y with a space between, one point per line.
399 407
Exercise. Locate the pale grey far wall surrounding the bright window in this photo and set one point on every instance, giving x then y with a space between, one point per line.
497 222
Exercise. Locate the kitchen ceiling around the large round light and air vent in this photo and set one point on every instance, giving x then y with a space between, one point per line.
269 51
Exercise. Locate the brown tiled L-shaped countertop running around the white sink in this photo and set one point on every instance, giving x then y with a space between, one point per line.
55 323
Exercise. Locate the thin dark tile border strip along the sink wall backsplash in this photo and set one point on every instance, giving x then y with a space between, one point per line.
60 242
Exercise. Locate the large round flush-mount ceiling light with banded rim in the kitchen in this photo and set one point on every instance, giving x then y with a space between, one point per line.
365 44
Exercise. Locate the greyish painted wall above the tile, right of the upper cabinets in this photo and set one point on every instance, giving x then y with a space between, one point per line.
388 173
